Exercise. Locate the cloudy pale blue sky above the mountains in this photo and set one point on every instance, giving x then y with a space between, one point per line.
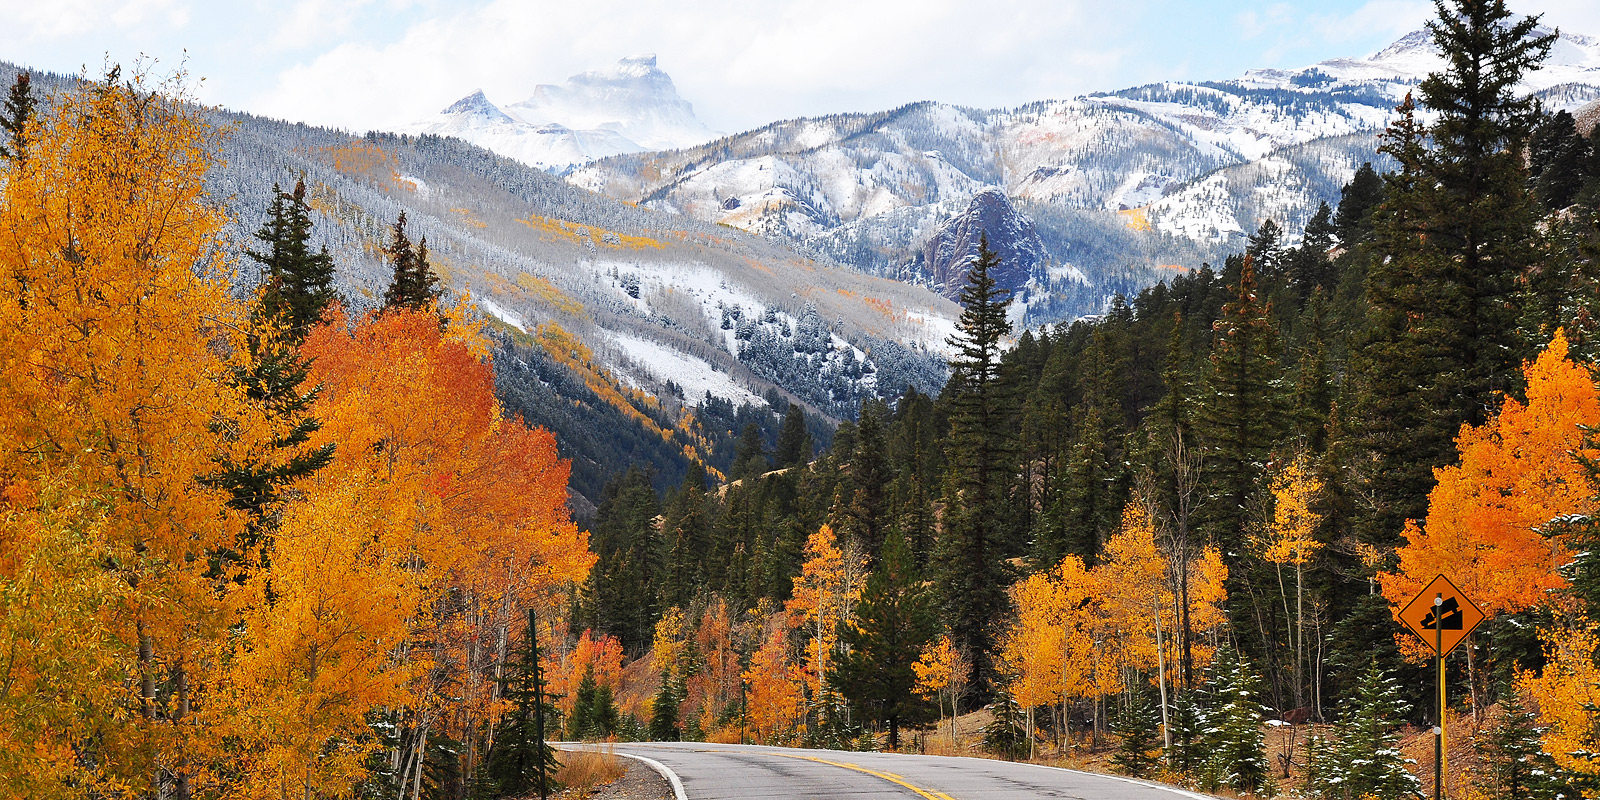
380 65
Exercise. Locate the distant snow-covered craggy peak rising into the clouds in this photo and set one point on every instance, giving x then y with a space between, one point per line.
631 108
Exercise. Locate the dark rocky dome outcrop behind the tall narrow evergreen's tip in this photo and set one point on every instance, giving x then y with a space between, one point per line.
946 258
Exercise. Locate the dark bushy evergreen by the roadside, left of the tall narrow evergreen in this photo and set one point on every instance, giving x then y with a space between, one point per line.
895 622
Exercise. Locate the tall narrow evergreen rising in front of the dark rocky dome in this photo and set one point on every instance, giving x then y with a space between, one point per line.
970 548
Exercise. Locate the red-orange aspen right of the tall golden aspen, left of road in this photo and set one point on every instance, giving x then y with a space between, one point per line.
468 505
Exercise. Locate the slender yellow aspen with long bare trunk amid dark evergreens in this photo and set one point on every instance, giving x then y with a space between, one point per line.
1292 540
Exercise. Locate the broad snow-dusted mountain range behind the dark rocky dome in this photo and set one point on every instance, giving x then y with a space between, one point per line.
1119 185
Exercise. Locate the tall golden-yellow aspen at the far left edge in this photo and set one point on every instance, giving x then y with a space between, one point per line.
118 345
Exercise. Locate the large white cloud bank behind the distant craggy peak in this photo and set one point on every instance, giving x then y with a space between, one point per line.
740 63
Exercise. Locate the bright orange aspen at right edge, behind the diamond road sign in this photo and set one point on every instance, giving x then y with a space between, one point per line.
1516 474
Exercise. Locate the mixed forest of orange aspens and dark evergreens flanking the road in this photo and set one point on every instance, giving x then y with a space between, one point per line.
262 543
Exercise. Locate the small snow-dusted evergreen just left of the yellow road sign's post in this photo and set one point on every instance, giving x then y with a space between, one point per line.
1364 761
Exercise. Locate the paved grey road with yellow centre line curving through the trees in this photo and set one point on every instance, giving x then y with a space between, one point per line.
714 772
